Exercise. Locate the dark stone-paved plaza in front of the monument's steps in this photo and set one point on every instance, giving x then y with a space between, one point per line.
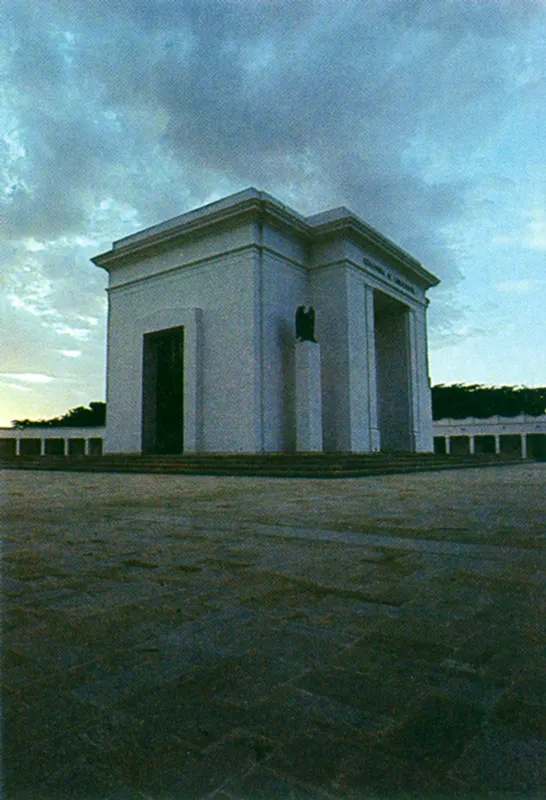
247 639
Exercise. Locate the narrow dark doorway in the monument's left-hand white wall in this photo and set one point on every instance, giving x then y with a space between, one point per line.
163 392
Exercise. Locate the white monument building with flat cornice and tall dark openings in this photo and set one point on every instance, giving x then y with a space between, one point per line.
203 352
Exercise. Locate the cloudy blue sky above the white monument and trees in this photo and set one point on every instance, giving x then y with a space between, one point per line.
425 117
